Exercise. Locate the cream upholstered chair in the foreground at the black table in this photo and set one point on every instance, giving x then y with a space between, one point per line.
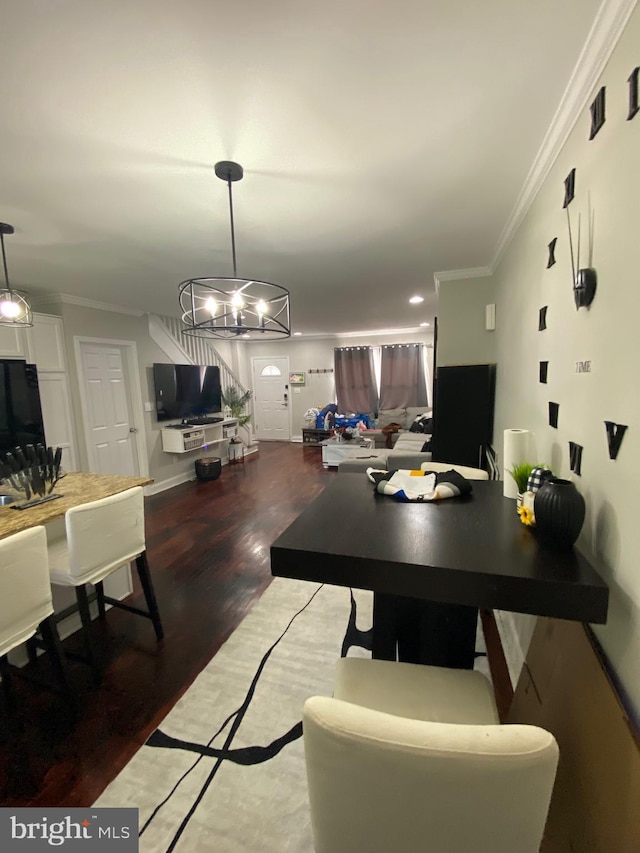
413 758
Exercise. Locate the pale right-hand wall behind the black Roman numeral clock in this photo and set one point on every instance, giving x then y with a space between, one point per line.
607 191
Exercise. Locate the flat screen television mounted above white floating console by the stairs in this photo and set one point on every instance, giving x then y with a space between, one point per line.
186 390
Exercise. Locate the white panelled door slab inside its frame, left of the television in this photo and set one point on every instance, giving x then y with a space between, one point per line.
109 426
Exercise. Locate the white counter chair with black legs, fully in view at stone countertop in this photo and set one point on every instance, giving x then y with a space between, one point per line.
101 537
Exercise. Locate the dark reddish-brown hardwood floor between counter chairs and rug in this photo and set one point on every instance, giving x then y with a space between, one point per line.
208 547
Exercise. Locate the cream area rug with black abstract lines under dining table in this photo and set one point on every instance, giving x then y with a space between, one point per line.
225 770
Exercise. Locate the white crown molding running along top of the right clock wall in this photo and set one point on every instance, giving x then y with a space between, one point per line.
607 28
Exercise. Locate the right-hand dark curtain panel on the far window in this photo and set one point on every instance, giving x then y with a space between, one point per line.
402 376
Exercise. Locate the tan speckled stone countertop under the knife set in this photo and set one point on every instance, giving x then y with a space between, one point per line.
74 489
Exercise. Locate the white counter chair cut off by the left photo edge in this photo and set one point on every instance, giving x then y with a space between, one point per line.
26 606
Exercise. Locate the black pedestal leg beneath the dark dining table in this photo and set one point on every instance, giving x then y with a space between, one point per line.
416 631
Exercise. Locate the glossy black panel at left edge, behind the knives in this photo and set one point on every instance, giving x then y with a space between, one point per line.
20 409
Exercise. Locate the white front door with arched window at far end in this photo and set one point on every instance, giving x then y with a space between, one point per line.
271 398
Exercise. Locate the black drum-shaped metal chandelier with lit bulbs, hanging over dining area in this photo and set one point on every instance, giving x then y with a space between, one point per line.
221 307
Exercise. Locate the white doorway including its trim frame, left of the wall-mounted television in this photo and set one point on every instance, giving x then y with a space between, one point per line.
112 408
